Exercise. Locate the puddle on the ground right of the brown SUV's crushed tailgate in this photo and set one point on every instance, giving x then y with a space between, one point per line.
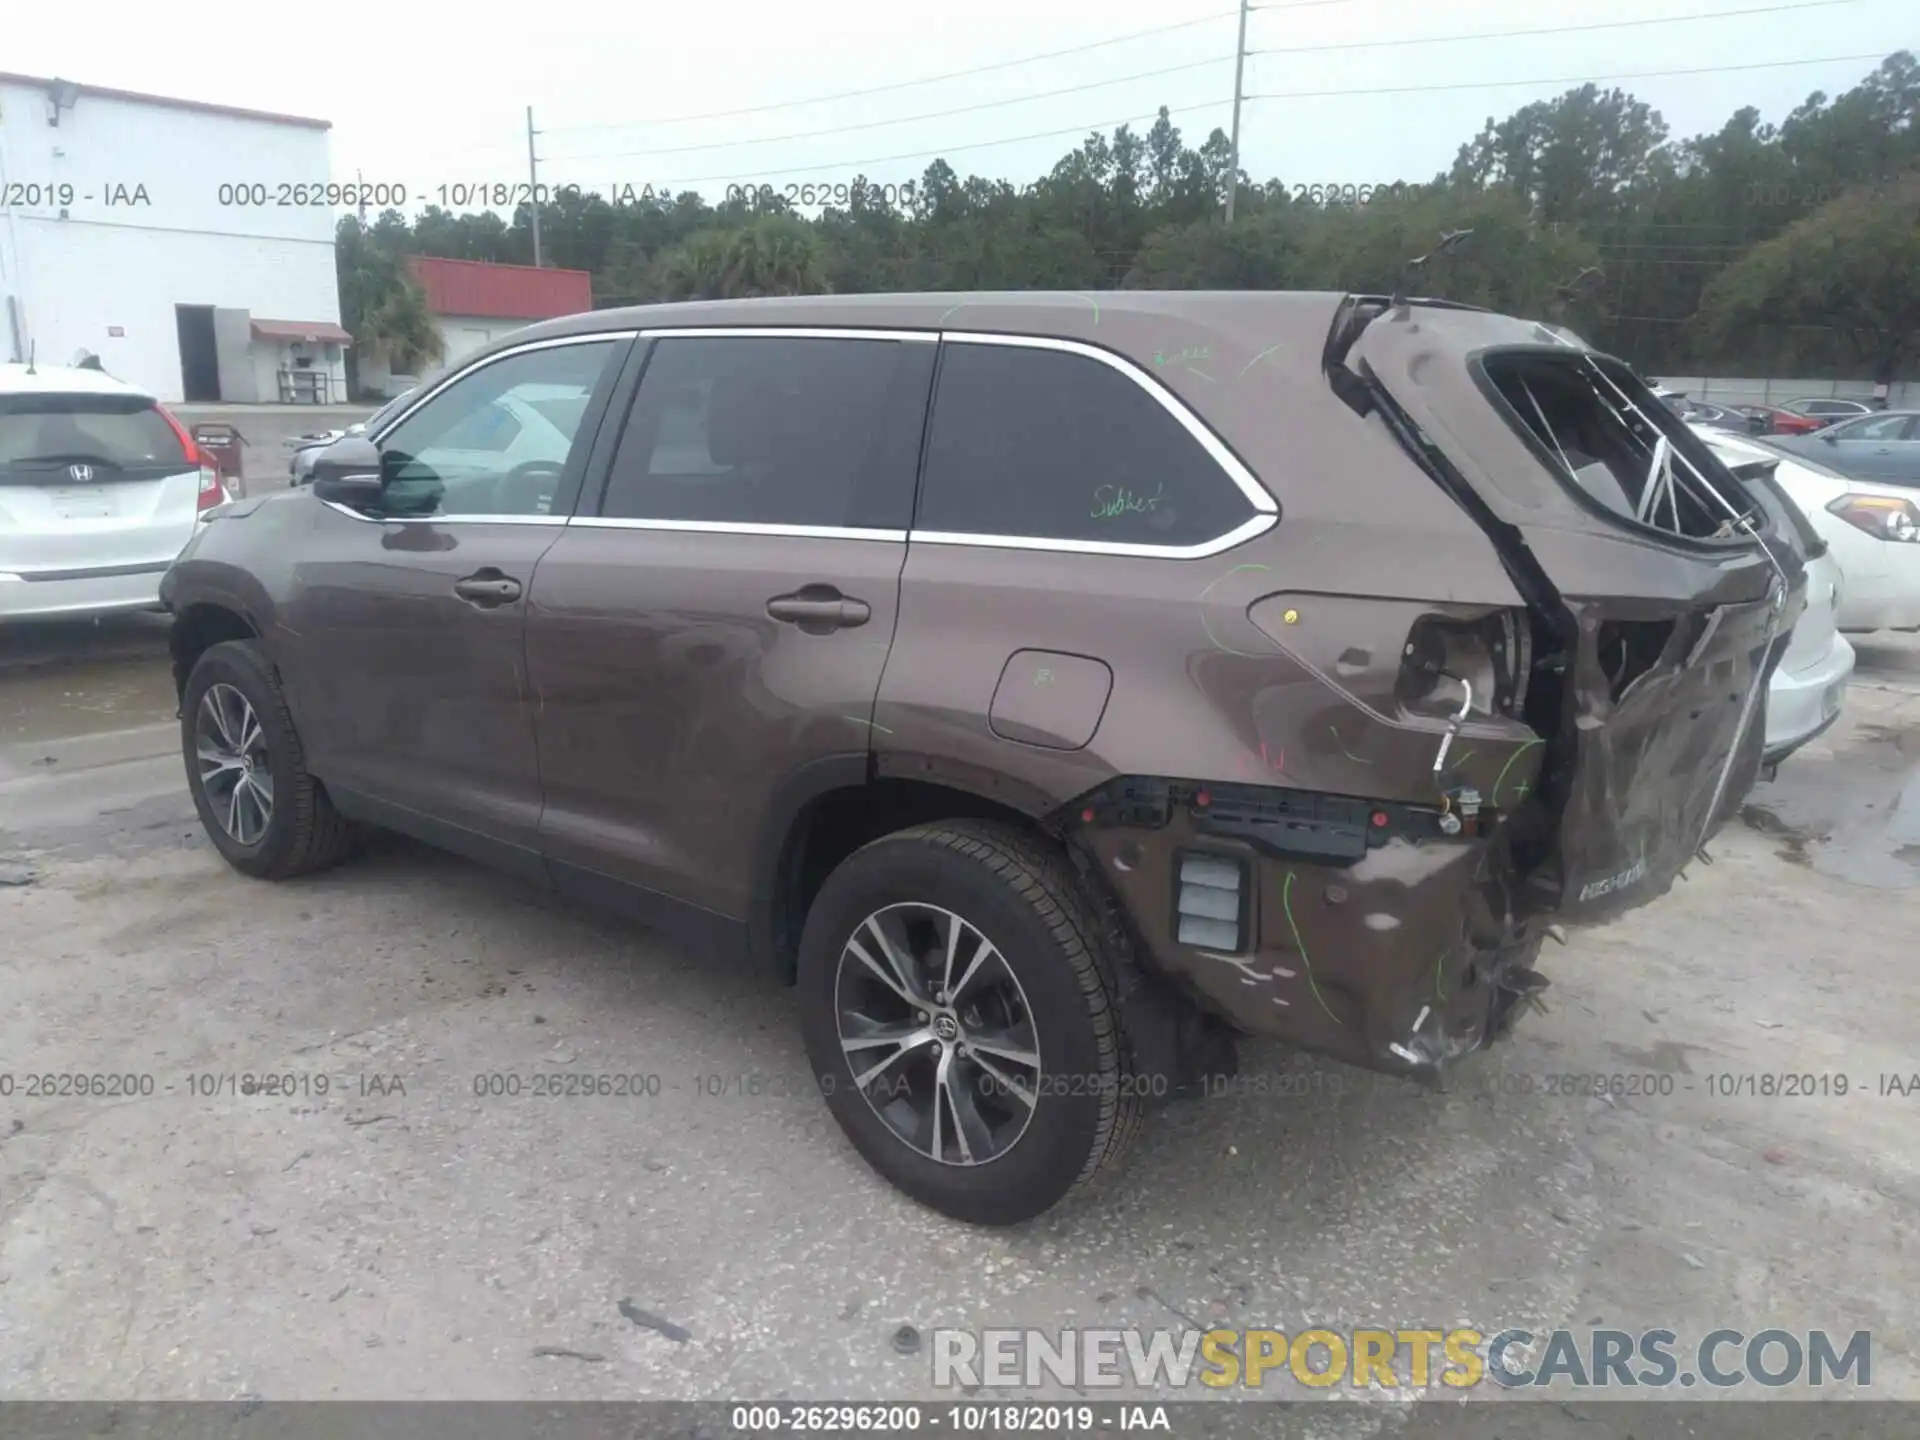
1854 817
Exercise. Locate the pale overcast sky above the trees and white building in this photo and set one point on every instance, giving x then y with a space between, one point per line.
631 93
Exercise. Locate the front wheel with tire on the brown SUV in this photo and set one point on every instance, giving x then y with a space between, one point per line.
235 734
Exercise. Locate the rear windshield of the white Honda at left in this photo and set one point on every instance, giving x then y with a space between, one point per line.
116 437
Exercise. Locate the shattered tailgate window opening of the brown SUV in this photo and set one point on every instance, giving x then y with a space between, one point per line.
1618 444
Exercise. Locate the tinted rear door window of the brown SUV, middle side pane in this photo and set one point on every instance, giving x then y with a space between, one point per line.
782 431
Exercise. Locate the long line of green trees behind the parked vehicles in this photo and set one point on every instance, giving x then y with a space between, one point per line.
1583 185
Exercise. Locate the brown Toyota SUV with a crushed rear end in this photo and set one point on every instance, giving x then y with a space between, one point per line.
1053 686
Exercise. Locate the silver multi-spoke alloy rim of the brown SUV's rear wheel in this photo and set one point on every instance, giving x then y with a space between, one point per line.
938 1034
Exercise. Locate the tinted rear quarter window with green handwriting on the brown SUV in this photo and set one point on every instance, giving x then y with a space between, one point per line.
1047 444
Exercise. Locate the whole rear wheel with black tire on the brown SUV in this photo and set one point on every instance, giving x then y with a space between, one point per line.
959 1009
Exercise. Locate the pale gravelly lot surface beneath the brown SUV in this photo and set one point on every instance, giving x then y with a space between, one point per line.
398 1224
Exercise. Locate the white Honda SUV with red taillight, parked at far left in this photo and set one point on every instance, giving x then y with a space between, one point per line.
99 492
